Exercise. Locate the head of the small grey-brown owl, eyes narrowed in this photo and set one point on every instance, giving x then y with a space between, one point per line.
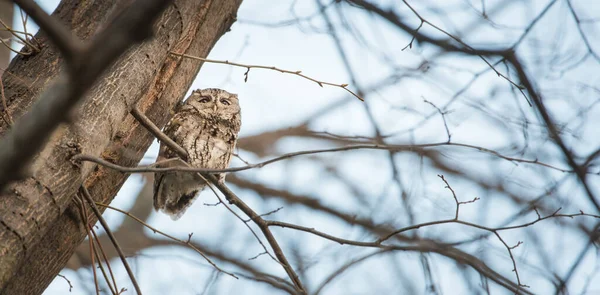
214 102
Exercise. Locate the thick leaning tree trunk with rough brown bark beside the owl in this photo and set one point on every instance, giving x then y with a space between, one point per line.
39 225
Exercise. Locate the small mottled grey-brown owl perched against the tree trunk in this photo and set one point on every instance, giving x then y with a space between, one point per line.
206 125
